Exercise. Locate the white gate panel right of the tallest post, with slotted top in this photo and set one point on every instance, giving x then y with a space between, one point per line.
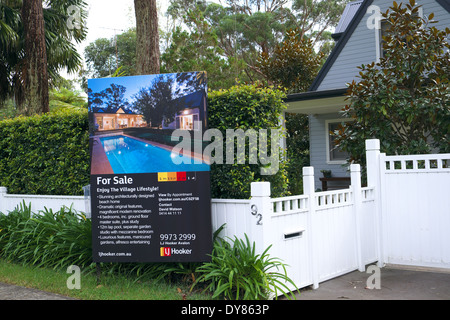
416 209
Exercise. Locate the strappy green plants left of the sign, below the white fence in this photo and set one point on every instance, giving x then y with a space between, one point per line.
48 239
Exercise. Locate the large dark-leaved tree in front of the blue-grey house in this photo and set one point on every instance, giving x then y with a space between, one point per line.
403 99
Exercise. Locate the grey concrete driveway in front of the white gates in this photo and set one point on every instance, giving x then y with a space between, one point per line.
396 284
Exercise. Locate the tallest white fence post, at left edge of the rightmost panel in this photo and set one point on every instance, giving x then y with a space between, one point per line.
374 180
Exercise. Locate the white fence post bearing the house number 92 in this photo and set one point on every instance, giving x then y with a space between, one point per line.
261 209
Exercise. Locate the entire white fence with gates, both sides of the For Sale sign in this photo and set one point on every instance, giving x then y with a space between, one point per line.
402 217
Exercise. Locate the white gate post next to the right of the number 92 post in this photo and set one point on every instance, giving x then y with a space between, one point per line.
309 190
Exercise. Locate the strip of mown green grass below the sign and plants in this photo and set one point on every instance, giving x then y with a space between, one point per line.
111 287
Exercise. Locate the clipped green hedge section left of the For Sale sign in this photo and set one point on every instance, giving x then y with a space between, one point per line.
45 154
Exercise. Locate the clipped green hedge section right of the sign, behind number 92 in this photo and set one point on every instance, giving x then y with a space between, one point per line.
245 107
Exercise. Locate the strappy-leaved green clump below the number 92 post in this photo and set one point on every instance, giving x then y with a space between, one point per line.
236 272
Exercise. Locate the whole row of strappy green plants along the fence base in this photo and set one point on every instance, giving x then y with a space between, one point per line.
62 238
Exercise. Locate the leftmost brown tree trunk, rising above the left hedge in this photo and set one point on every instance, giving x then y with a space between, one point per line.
35 75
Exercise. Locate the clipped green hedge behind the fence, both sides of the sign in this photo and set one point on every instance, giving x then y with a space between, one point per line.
49 154
